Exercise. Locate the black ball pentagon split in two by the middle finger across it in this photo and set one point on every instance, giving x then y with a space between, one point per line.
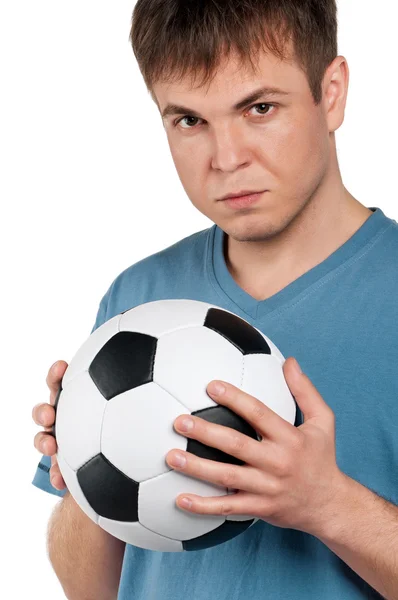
221 415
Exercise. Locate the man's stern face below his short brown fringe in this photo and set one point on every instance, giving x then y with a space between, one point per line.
284 148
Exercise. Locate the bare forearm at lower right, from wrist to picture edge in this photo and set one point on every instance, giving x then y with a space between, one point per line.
363 531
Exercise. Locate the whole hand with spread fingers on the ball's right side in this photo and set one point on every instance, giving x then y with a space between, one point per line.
290 477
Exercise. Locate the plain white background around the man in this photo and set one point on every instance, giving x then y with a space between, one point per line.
88 187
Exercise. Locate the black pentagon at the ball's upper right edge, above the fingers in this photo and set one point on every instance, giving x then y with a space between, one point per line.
237 331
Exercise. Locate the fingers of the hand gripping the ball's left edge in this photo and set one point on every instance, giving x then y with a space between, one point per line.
44 414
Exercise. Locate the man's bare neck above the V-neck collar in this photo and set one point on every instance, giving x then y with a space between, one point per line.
262 268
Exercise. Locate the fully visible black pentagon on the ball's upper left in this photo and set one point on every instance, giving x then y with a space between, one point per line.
123 363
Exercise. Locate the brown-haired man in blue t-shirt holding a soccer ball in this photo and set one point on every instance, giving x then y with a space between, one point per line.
313 268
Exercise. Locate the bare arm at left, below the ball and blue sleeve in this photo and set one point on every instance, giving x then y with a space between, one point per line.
86 559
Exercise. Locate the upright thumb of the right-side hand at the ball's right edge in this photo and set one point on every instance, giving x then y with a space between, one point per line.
309 400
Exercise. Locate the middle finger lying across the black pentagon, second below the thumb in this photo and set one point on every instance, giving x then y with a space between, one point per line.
253 452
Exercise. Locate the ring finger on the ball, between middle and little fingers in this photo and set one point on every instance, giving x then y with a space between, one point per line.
244 477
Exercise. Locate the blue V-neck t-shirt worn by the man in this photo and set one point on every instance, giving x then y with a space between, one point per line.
339 319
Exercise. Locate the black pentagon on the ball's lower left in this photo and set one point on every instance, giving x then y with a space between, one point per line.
109 492
